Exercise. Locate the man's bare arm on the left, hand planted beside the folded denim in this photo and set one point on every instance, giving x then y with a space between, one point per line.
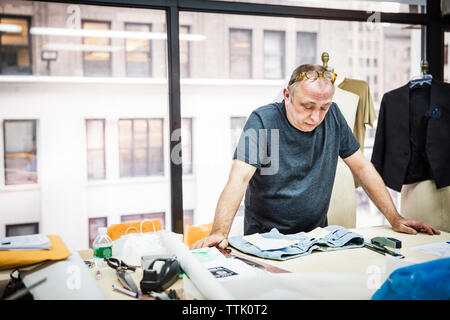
227 206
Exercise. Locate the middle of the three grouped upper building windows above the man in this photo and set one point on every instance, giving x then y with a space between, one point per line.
274 54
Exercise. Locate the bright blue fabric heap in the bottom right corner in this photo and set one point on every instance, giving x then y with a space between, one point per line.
423 281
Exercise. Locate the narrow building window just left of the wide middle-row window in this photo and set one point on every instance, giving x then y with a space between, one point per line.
95 133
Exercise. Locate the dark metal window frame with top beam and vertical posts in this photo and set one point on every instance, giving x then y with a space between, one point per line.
434 22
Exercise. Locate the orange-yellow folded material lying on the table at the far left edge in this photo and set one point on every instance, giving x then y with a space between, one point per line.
19 258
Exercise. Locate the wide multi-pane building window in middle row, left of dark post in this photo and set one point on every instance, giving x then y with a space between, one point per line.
141 147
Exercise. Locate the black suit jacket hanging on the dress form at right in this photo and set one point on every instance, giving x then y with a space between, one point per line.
392 150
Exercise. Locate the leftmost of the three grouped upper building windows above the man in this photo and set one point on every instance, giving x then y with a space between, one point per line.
241 53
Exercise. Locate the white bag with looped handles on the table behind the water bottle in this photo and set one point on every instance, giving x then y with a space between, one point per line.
138 243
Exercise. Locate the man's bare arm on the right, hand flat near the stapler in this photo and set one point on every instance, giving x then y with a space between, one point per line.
375 188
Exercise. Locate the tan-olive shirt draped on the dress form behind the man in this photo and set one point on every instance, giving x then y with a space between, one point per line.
365 114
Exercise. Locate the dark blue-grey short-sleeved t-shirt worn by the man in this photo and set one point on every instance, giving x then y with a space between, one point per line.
291 187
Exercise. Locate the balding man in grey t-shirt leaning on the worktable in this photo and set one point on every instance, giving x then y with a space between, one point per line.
310 134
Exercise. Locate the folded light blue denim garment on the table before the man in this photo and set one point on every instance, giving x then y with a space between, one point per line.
339 238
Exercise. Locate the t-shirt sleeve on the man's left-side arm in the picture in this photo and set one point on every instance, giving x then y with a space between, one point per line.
247 149
